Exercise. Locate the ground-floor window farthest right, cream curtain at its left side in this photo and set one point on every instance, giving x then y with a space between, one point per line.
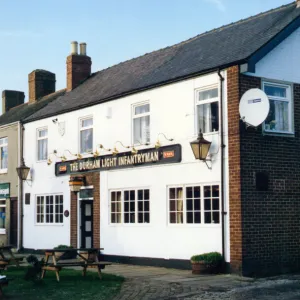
196 204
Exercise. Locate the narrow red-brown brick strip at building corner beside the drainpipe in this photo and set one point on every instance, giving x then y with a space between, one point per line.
234 169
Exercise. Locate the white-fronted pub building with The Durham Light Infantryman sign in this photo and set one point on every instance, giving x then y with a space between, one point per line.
116 169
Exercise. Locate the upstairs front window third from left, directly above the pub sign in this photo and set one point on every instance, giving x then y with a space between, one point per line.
141 123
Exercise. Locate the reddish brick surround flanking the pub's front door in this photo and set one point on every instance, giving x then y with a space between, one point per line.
91 179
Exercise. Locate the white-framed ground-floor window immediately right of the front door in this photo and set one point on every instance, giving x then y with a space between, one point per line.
130 206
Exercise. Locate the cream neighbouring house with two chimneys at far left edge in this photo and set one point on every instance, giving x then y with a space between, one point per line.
14 110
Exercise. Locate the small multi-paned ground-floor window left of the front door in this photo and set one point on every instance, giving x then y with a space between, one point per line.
49 209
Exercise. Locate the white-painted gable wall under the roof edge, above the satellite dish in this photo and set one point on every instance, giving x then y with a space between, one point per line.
283 62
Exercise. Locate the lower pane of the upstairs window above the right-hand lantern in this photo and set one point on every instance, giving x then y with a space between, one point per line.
208 117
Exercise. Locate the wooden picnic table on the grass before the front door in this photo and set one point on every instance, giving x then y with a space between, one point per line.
88 258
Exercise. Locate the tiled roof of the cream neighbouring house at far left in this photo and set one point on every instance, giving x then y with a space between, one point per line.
21 112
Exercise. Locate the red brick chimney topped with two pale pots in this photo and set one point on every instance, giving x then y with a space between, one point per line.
78 66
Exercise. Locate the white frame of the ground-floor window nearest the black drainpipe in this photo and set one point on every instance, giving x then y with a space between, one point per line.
202 224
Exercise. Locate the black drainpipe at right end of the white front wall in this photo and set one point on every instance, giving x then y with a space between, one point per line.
223 213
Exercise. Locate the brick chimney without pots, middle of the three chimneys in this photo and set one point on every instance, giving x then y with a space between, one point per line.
41 83
